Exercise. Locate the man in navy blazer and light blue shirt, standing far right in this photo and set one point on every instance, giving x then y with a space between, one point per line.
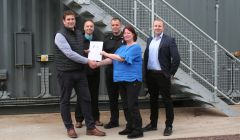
161 61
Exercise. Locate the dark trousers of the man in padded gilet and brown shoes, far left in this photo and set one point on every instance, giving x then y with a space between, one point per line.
78 81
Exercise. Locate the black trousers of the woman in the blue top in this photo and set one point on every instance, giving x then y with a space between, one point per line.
129 92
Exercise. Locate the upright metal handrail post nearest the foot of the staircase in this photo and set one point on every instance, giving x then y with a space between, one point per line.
215 70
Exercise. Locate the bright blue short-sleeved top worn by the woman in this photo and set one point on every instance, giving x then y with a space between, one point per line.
131 69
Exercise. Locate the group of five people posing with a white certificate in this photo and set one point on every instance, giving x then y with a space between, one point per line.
122 56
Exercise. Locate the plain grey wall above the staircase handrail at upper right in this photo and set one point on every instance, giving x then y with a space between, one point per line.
202 13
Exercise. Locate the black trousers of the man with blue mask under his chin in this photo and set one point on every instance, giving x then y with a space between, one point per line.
93 84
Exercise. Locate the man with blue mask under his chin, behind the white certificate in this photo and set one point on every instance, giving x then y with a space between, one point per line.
93 77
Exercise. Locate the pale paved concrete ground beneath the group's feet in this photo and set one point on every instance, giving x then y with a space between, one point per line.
190 123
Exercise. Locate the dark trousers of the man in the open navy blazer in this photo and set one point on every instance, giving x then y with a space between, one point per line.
159 83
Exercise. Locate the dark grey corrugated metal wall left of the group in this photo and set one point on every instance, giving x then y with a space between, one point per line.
40 19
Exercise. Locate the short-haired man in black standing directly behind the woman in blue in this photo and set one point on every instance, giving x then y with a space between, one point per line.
112 42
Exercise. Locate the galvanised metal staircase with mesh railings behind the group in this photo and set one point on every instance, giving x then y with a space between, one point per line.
208 72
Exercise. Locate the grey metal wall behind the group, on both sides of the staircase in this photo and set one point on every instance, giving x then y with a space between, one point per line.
40 19
